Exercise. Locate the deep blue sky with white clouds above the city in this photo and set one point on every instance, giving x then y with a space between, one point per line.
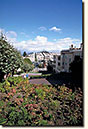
36 25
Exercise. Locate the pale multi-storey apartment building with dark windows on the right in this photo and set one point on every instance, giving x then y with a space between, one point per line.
62 62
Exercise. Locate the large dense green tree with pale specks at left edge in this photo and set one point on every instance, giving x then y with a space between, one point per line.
10 58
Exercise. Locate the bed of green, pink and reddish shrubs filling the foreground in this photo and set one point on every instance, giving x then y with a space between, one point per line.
25 104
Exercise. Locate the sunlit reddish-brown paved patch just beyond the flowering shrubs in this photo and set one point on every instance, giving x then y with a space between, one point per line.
39 81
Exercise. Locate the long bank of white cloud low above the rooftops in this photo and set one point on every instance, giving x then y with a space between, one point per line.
41 43
